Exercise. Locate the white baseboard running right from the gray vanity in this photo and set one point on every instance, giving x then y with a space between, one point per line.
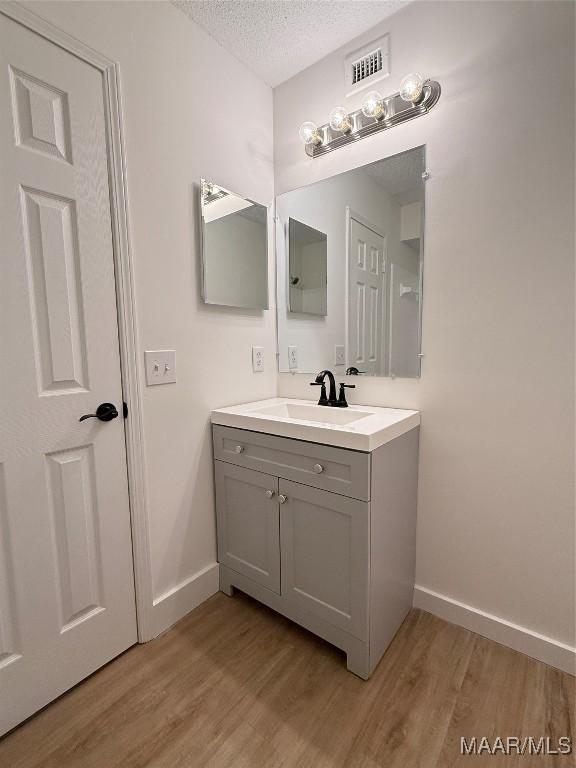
519 638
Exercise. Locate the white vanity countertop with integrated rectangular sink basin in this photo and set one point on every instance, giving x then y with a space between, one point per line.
361 427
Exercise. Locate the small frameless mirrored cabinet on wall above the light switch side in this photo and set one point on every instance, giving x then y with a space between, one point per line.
234 249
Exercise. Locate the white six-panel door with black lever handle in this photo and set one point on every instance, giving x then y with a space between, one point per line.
66 577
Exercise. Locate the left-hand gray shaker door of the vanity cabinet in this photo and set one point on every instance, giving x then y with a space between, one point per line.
247 517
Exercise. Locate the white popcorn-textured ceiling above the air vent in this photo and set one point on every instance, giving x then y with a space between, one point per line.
278 38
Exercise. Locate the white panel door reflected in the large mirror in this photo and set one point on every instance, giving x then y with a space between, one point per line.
366 298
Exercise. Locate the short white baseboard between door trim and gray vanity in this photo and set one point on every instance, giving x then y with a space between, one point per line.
183 598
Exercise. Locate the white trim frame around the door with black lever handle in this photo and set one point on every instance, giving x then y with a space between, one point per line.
125 300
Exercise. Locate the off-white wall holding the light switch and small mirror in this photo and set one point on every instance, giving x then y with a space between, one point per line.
179 89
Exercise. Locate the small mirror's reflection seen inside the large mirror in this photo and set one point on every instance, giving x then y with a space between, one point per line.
307 254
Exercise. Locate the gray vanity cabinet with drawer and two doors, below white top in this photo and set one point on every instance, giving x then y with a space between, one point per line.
324 535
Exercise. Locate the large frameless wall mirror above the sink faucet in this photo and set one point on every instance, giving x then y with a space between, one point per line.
373 219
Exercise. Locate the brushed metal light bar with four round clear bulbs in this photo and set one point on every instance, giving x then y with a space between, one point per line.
416 97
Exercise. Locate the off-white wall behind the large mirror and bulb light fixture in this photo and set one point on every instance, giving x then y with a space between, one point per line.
496 507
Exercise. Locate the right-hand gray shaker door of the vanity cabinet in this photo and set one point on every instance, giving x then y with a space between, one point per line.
324 551
